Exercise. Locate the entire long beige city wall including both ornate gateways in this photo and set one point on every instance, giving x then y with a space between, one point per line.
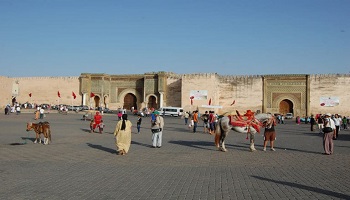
301 94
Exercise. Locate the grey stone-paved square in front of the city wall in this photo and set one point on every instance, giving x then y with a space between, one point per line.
83 165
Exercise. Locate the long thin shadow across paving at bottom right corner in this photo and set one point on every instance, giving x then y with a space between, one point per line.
305 187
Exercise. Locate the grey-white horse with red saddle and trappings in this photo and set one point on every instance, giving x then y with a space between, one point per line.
249 123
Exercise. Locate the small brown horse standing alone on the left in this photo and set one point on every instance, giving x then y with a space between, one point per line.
40 128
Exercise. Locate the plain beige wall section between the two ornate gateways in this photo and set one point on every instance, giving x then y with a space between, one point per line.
245 91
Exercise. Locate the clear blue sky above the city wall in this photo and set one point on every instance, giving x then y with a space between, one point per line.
245 37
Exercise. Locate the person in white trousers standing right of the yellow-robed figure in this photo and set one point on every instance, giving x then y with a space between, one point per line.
157 130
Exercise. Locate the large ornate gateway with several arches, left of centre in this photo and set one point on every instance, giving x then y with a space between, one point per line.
123 91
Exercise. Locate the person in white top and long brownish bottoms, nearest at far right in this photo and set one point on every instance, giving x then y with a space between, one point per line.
328 131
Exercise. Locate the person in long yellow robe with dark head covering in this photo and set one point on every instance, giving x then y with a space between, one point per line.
122 135
